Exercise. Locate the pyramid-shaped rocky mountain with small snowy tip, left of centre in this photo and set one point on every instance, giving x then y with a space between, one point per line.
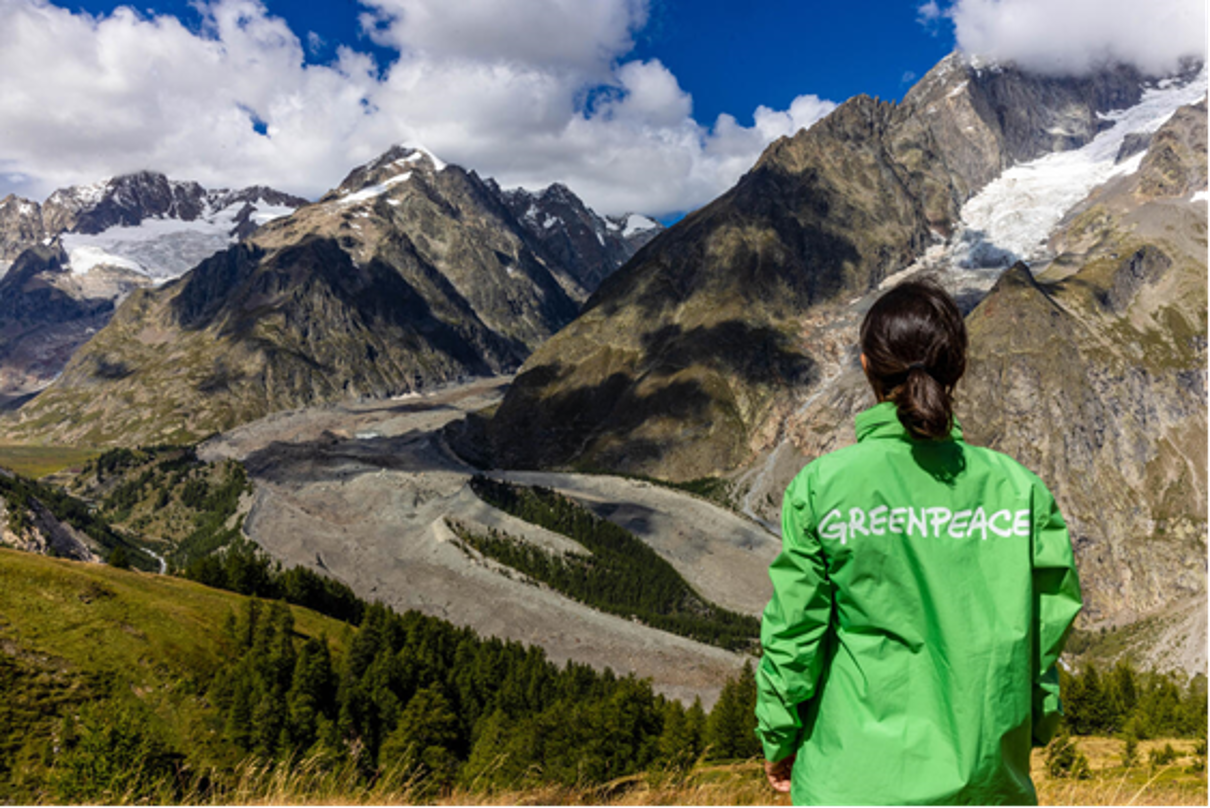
411 274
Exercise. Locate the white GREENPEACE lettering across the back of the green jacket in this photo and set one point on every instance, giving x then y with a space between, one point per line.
926 523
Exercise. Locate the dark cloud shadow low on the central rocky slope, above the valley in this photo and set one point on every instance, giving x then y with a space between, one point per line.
632 419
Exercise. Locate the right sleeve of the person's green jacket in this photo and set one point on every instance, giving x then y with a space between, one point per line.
1057 602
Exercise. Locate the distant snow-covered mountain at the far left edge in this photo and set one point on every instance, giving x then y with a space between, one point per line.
97 244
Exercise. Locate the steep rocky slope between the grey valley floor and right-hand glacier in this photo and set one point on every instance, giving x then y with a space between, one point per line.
685 357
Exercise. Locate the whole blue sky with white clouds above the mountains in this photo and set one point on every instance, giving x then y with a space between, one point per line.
655 107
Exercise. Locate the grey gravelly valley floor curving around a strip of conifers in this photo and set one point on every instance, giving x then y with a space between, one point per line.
365 493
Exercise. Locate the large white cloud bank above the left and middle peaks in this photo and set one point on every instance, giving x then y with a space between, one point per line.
527 91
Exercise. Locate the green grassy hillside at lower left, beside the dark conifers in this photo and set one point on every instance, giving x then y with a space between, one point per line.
74 637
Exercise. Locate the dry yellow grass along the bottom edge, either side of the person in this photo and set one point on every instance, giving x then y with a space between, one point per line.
740 786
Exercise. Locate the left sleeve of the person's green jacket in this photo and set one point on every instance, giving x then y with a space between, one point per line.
797 622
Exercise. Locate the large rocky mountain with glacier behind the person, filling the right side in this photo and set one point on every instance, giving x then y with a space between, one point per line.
727 349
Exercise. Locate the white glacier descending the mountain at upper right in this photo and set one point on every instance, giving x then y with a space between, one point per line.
1015 216
